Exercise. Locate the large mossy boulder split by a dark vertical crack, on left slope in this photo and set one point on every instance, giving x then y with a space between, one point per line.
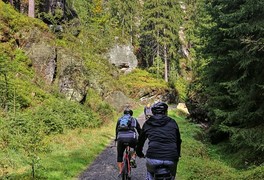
61 67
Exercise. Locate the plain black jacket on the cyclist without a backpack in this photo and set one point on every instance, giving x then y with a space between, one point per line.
164 138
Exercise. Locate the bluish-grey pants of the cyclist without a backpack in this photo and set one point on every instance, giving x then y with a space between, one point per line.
153 163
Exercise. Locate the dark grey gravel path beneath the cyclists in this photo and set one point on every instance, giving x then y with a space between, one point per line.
105 167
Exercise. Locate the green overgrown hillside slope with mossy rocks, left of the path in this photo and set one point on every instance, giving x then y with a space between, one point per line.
51 83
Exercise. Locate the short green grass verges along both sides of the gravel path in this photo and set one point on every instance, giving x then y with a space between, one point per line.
71 153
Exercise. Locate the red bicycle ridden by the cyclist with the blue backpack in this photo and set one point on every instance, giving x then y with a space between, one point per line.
126 166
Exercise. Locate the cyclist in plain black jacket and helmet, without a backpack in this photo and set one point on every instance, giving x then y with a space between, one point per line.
164 147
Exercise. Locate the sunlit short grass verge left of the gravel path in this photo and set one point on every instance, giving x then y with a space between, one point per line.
70 153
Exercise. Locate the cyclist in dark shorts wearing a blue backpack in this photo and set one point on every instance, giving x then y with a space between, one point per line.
129 135
